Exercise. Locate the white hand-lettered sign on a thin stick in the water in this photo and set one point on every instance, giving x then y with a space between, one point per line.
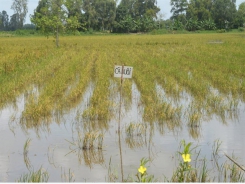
122 72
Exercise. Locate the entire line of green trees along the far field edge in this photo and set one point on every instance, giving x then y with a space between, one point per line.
124 16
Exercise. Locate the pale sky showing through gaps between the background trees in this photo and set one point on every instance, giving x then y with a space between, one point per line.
32 4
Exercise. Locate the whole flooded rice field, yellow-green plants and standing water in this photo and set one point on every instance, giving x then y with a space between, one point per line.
65 117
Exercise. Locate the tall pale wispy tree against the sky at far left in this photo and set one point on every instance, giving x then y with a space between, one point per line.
20 8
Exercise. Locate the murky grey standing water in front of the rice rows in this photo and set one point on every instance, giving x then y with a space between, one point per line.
55 148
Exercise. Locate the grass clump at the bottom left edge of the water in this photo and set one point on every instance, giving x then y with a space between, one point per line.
34 176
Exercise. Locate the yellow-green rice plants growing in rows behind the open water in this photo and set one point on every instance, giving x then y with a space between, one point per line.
180 78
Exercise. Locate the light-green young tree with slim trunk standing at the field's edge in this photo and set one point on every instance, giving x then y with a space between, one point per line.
53 18
